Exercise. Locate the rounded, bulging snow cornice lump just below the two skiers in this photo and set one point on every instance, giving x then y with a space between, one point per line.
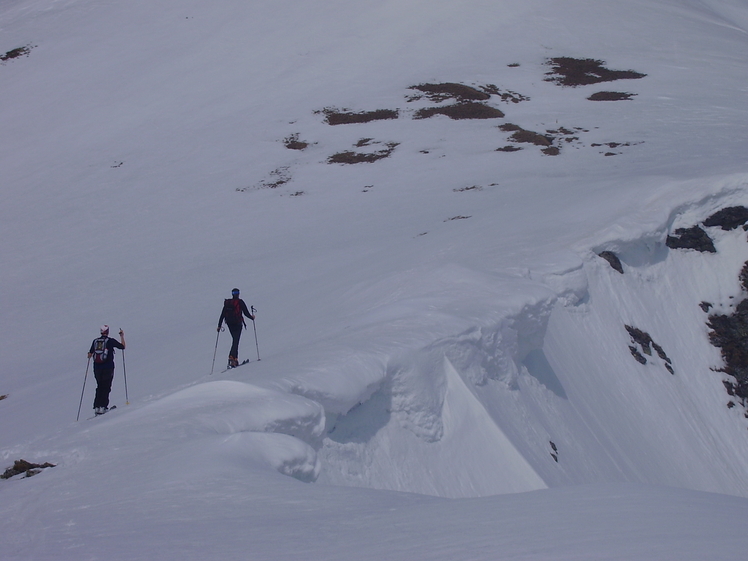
233 421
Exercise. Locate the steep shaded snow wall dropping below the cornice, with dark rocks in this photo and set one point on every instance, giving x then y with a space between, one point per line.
552 392
